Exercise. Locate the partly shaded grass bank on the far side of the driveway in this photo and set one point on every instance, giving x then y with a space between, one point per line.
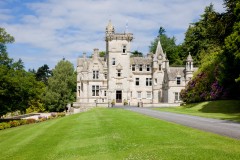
224 109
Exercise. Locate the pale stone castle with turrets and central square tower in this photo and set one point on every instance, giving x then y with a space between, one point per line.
124 80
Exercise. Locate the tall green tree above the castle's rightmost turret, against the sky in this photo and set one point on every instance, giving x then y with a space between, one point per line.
203 35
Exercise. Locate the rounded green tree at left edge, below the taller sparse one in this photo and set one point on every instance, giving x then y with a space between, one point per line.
17 89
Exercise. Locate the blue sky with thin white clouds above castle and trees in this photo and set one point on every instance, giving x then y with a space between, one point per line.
46 31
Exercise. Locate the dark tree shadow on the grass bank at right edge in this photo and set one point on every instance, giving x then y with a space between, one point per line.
229 107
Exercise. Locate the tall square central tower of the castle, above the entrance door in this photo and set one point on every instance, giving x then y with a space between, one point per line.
118 59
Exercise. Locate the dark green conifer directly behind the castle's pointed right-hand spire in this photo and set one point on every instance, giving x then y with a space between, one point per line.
169 46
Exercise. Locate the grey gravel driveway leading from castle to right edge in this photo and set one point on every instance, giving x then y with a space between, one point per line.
221 127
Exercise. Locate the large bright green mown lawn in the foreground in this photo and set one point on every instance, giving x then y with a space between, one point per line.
112 133
